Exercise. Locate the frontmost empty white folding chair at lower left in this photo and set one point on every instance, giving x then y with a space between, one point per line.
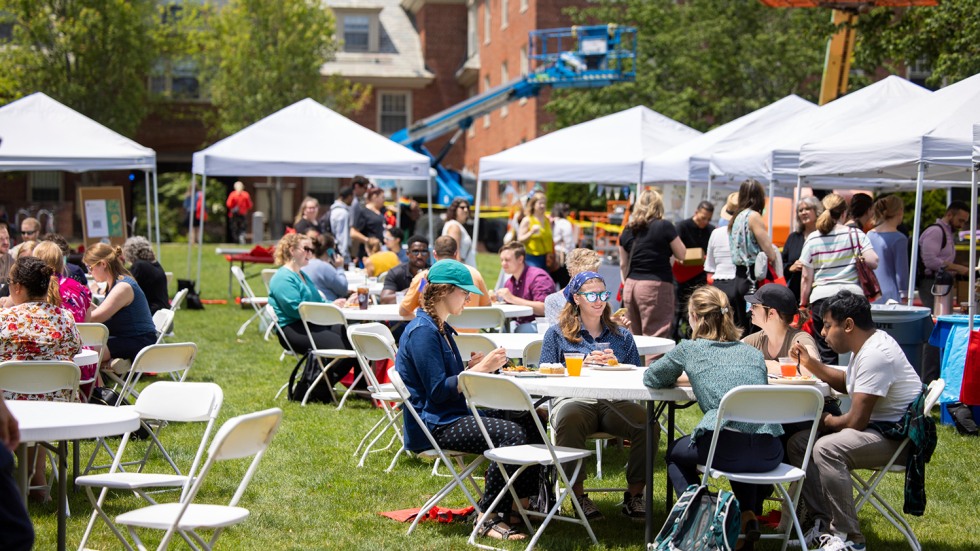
240 437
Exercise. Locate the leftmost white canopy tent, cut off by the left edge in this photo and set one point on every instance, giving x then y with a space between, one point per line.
40 133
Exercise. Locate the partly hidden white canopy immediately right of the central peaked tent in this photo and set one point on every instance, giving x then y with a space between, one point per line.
690 162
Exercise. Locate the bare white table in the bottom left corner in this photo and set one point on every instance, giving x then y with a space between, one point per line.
60 422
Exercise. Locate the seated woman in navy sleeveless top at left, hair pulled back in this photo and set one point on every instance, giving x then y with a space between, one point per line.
124 310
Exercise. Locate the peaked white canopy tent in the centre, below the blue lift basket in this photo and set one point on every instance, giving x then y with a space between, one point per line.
609 150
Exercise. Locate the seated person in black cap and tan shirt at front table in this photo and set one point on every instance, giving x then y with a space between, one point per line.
772 309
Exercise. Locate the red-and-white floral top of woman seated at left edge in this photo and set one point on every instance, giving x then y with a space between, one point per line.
38 331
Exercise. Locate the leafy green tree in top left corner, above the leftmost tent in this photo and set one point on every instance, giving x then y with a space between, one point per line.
92 55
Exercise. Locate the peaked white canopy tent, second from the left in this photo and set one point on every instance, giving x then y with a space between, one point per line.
306 139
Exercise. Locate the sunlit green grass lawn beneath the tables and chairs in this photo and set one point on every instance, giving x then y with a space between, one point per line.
309 493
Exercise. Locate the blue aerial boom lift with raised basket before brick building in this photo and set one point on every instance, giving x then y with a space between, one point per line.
575 57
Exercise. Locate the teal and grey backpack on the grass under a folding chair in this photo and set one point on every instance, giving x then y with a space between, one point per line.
701 521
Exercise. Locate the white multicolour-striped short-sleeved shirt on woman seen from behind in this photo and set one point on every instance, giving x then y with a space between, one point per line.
832 258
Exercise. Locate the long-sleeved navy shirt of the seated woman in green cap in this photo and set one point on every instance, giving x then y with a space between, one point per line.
430 364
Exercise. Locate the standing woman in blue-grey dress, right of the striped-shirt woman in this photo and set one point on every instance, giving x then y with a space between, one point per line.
891 246
